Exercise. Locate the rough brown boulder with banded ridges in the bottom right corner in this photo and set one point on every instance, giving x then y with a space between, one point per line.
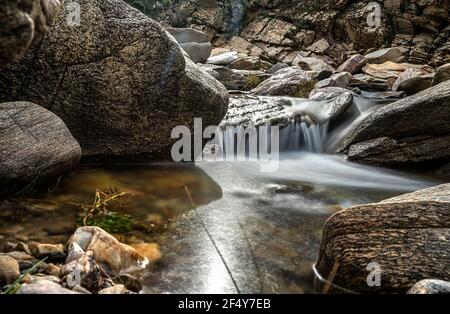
405 238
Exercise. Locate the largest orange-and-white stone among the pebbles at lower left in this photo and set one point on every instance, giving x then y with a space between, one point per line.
113 256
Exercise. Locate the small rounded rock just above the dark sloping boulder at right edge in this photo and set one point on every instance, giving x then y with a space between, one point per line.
413 81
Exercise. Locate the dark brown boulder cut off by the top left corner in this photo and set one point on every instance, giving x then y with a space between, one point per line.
24 22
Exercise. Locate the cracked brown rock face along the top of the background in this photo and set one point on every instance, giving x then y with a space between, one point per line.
282 28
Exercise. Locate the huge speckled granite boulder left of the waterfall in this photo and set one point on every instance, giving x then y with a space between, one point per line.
118 81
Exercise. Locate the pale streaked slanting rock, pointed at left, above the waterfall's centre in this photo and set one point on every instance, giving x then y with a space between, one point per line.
285 82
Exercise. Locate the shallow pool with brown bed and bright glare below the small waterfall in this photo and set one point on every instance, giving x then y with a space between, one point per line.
249 232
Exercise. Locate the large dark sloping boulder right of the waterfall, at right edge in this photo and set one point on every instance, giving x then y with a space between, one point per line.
412 130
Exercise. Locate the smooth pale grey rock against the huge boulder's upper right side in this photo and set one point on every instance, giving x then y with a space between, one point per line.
194 42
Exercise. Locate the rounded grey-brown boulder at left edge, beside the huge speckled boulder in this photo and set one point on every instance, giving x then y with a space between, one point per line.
34 144
